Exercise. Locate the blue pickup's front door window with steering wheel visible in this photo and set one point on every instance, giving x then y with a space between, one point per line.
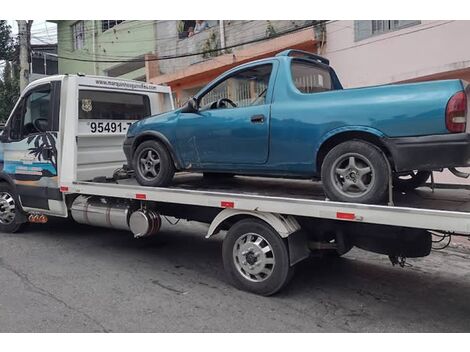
244 88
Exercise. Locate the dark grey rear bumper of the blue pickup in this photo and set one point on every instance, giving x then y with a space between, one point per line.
429 152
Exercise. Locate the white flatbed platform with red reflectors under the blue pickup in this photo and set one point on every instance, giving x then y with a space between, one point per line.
439 209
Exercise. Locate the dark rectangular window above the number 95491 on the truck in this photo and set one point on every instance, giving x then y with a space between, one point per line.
103 105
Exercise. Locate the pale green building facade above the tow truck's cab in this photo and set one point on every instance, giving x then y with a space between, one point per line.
85 46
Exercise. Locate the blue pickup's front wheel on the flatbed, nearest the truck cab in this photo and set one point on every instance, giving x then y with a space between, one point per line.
153 164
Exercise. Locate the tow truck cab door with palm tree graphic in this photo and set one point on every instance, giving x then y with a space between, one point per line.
29 147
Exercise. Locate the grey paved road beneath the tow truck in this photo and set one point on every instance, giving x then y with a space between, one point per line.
64 277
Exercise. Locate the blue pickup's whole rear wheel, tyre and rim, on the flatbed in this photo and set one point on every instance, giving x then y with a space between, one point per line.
355 172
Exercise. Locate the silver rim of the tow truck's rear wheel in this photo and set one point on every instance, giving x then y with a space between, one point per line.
254 257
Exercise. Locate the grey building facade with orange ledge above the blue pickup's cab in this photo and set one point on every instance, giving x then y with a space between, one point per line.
187 74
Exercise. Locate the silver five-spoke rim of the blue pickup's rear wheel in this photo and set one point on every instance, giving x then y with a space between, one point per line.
353 175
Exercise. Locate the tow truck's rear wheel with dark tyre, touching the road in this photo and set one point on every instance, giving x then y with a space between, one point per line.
256 257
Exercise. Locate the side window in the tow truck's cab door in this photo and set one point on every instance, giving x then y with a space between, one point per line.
32 114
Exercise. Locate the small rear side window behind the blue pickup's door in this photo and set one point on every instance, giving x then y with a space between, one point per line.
309 77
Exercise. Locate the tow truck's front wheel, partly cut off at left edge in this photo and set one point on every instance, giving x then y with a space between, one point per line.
10 214
